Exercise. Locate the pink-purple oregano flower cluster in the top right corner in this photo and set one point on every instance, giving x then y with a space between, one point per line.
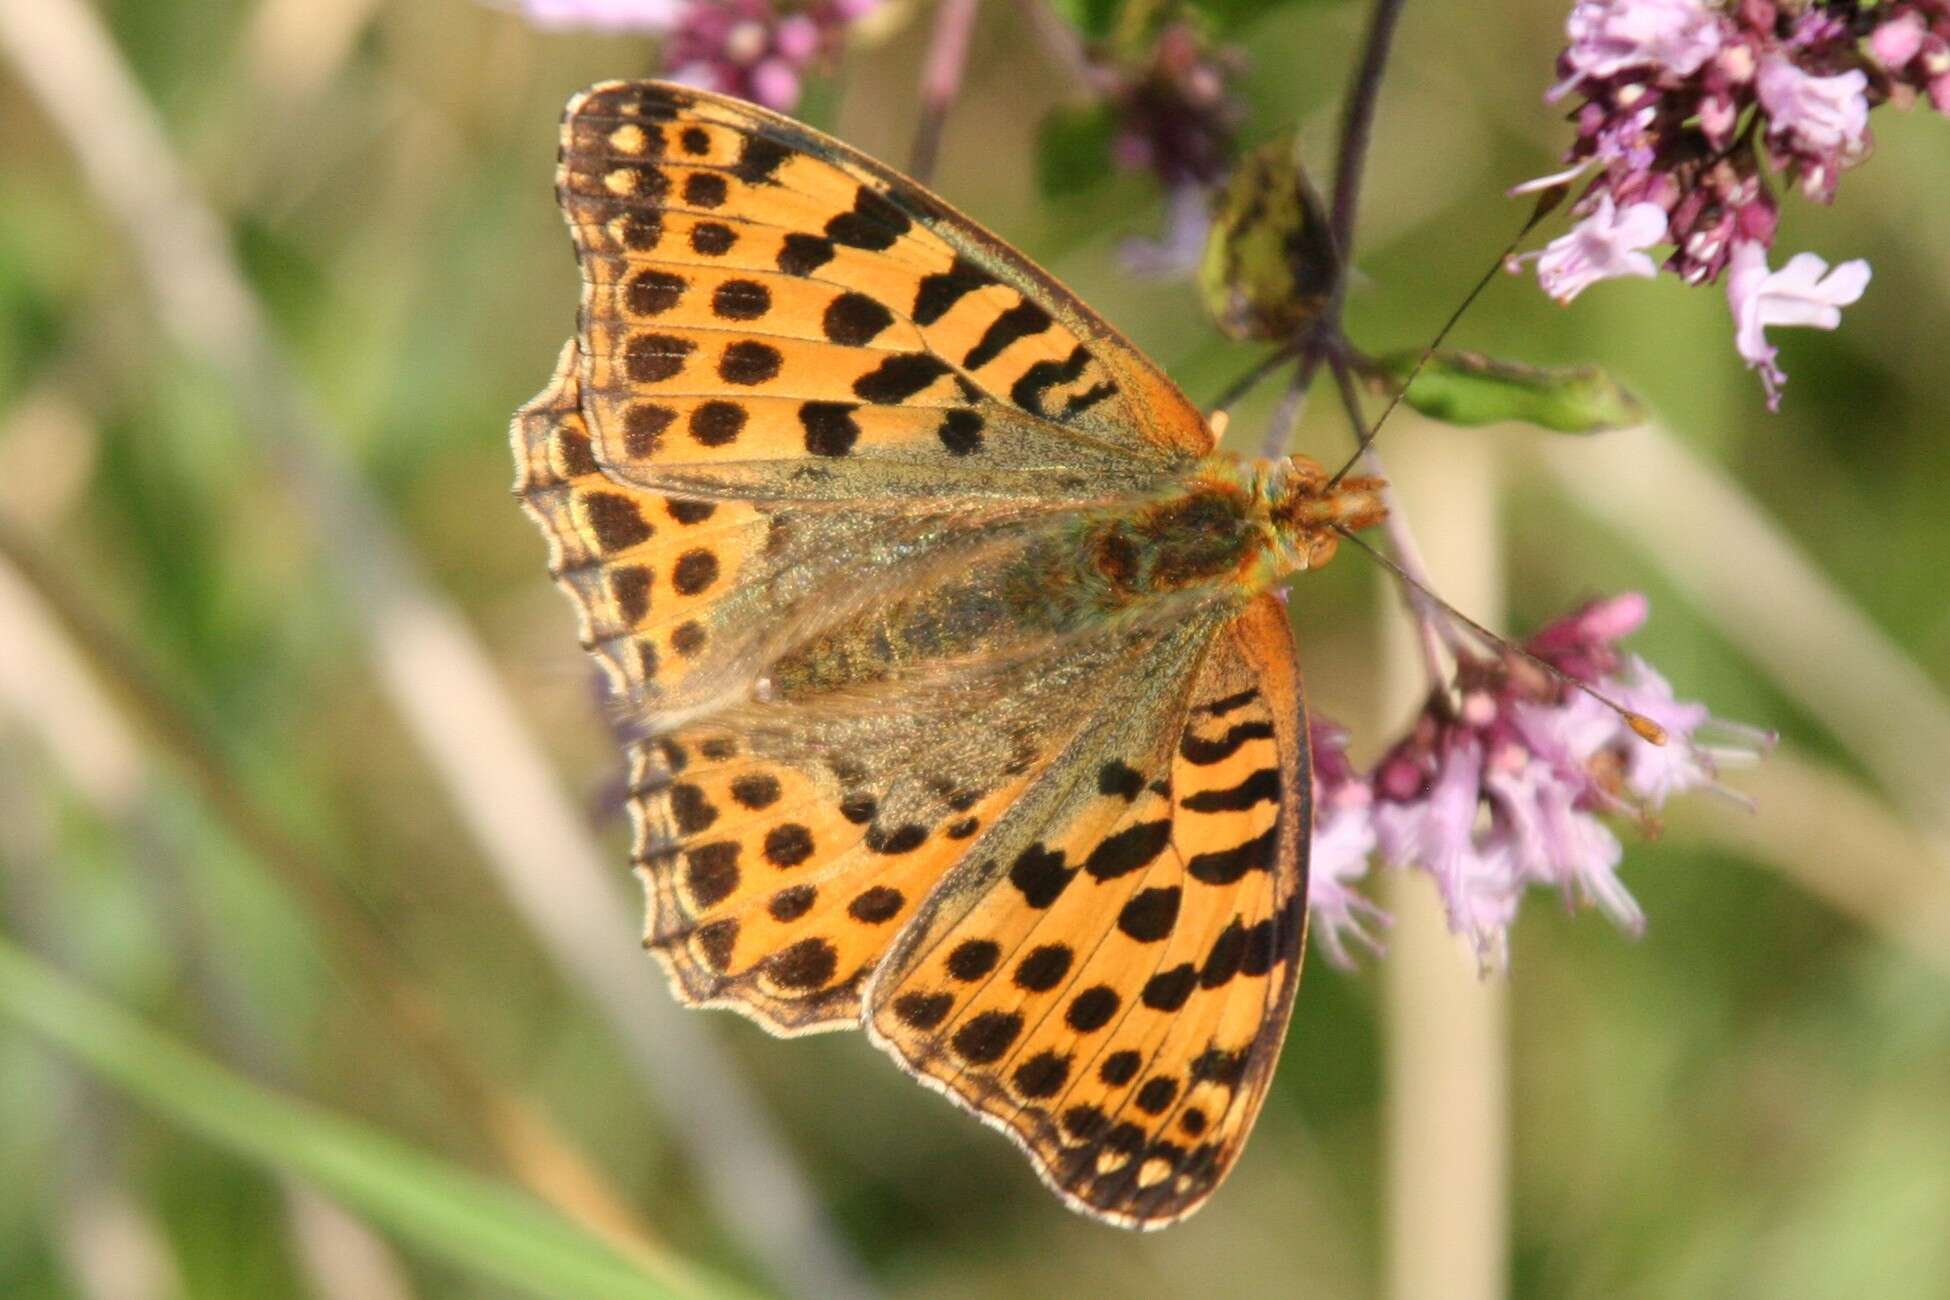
1694 114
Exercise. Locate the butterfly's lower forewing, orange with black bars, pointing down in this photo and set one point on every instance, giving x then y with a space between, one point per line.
1118 995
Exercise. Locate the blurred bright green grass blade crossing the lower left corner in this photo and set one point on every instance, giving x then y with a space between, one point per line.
459 1217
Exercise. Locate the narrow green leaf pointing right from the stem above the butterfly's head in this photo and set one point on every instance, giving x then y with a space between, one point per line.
1469 389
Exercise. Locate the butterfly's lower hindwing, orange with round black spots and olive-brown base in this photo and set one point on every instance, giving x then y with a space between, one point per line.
787 849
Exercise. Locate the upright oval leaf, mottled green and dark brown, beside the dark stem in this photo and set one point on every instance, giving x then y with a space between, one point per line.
1270 266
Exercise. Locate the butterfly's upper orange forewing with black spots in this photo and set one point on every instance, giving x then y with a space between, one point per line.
732 256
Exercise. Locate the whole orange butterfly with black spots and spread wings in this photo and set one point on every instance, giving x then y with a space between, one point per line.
958 703
